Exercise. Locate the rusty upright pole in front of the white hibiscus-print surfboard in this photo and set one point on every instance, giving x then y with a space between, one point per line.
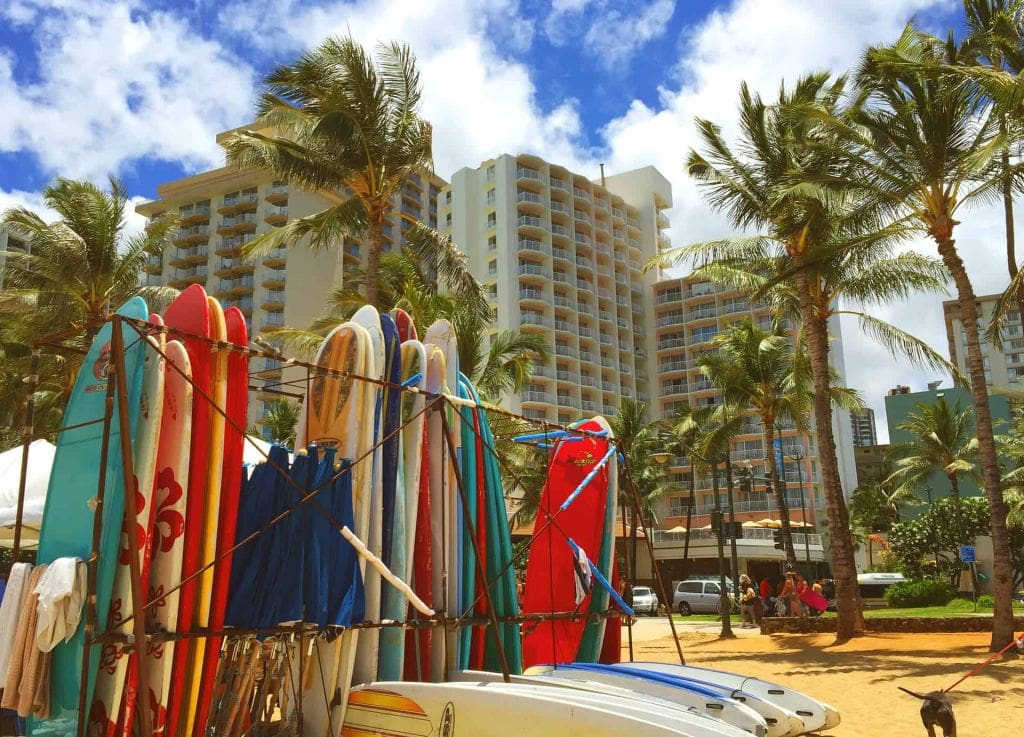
129 473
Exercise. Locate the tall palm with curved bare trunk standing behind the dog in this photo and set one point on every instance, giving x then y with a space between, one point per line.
924 150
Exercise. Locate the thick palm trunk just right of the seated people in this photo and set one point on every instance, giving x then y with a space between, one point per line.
851 620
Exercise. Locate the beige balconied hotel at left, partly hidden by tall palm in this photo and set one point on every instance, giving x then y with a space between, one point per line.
221 211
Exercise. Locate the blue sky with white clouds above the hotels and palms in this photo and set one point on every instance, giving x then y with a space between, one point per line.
140 89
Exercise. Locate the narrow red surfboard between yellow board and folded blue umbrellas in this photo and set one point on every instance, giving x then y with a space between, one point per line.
238 406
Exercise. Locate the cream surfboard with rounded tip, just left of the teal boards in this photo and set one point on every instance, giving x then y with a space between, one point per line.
443 335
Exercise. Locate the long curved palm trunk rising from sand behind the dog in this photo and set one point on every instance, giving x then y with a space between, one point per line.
1003 578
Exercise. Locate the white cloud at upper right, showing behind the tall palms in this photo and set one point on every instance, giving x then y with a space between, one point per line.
763 42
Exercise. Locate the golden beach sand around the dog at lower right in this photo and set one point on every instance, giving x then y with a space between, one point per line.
861 677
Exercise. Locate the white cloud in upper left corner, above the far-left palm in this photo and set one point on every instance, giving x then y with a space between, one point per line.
117 84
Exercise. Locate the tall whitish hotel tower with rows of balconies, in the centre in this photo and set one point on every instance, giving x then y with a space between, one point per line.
563 256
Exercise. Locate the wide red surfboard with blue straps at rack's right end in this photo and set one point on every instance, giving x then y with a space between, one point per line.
550 571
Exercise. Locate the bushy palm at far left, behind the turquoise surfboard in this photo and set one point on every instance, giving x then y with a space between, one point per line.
74 273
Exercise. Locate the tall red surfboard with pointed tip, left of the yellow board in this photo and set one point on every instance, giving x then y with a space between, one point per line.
191 314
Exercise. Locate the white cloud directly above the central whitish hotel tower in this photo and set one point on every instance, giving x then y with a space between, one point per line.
480 99
